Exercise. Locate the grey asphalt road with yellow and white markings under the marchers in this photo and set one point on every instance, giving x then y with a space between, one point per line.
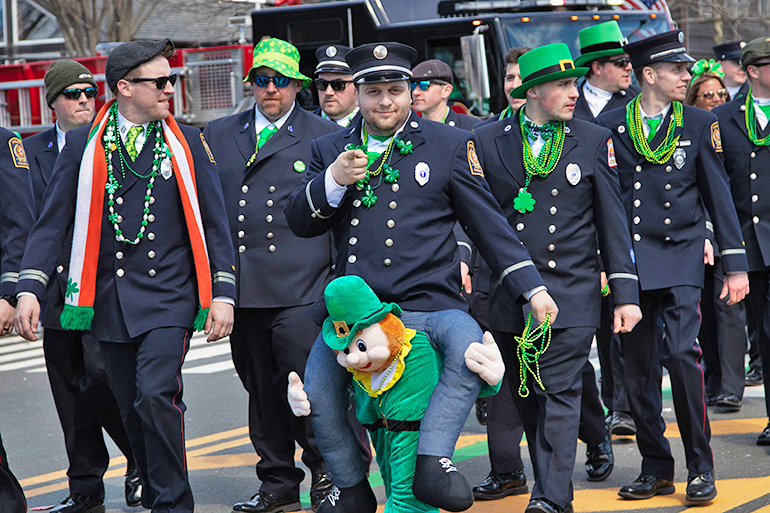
221 459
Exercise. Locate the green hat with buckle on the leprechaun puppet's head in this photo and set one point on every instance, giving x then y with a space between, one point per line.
353 306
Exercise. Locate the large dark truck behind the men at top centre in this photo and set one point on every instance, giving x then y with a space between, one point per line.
471 36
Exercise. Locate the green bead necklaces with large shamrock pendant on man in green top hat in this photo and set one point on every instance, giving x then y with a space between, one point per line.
542 165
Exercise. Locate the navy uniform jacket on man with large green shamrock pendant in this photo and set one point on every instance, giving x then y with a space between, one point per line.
561 232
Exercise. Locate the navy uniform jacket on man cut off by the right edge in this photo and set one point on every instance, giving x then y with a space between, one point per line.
747 167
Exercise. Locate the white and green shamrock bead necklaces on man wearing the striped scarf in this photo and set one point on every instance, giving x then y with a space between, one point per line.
111 142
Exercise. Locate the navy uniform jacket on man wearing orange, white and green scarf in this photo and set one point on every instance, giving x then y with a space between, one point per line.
149 285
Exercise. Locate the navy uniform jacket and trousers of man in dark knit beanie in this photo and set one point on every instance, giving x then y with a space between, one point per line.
81 391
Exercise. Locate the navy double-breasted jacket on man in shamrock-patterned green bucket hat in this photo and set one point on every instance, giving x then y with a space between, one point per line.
276 268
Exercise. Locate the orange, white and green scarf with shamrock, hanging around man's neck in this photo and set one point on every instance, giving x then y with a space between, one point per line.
81 287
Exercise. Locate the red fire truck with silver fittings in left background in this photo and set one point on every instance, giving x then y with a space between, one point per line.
210 87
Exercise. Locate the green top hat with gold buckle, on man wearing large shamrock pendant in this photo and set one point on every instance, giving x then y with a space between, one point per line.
544 64
